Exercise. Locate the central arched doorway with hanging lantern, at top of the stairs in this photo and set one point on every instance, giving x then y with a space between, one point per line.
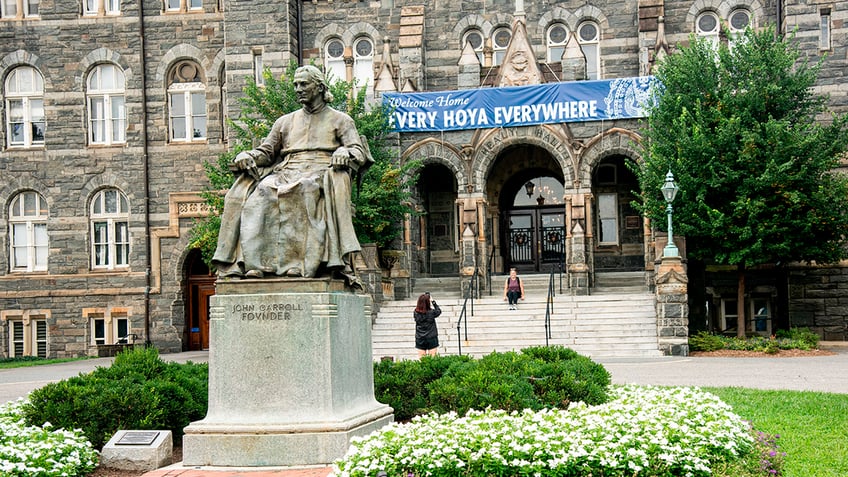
532 213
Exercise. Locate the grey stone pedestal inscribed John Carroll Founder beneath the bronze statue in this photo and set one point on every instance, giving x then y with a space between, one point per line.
290 375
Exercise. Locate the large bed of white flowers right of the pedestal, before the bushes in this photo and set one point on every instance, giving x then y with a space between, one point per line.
641 431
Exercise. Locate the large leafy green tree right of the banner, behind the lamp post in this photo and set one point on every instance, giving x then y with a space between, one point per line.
754 151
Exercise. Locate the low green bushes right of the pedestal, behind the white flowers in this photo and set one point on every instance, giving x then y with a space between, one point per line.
534 378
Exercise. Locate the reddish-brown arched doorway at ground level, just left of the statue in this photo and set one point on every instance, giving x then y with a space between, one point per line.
200 285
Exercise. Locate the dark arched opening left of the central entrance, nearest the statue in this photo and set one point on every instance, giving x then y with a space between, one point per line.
438 234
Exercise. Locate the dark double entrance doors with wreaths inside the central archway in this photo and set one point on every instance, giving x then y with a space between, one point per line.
534 239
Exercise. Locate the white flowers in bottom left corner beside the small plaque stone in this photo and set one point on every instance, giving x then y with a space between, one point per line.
32 451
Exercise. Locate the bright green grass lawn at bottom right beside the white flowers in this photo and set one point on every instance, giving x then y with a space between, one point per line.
813 426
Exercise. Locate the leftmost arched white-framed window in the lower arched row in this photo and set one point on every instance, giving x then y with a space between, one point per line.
28 232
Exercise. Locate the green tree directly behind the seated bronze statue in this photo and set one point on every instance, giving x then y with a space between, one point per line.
381 198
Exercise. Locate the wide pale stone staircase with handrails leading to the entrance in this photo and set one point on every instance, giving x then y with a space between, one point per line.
617 320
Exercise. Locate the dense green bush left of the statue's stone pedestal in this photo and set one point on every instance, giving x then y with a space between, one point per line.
139 391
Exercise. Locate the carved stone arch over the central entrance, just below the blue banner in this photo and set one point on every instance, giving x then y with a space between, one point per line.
489 145
